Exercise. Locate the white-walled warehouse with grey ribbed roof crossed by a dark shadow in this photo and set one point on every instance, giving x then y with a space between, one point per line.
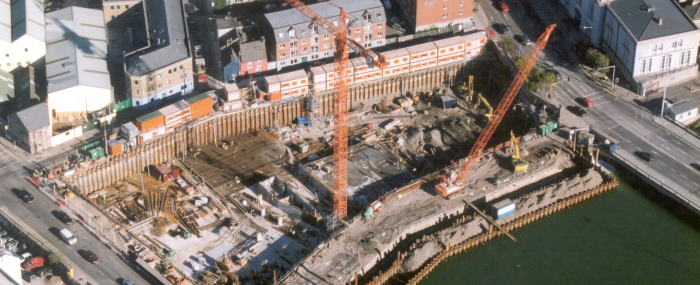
76 62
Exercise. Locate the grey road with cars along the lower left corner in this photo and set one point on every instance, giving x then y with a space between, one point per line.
39 216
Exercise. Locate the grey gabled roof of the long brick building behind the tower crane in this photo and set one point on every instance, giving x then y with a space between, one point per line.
284 21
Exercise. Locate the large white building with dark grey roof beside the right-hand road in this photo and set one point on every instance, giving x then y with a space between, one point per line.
644 39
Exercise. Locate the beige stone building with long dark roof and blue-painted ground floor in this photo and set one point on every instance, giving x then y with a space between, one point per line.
162 71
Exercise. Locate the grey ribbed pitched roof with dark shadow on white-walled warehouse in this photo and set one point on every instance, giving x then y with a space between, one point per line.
76 49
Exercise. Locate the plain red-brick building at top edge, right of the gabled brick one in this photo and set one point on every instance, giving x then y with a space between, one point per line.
432 14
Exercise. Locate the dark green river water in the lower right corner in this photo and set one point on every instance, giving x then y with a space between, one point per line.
631 235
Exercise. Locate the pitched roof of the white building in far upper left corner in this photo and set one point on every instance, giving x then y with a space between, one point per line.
28 19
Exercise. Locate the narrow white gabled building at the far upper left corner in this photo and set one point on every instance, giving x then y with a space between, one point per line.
28 35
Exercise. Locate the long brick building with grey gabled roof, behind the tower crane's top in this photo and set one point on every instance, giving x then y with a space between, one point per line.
295 39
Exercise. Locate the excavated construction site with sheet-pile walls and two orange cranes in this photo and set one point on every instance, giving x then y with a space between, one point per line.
375 186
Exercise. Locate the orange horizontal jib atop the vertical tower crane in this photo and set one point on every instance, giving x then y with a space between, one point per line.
376 60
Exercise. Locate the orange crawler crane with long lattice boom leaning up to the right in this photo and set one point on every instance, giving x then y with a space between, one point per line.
453 180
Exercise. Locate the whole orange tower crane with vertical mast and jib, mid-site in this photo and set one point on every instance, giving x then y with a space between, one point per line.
340 98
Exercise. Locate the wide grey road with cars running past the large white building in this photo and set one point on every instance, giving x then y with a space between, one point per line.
626 118
